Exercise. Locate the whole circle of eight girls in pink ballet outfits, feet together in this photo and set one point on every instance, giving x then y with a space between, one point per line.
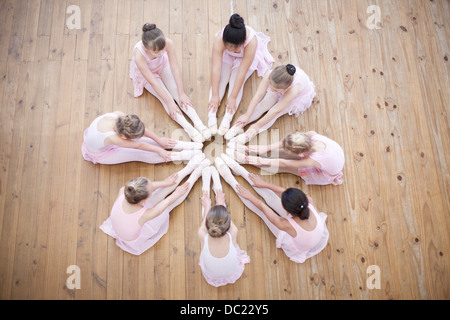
140 214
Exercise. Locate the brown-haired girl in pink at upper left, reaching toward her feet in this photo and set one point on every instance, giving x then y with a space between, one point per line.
154 67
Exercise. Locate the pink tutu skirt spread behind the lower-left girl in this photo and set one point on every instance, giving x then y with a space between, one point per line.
149 234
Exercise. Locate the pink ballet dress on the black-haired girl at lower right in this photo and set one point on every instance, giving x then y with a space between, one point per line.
307 243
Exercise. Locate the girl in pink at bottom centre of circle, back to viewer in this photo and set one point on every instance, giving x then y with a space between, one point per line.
221 260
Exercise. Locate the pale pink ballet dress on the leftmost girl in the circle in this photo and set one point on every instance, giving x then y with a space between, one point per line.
93 148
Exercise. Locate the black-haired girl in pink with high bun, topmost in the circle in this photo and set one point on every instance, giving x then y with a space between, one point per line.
237 52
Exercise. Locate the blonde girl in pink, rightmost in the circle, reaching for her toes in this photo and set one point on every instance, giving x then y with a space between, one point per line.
315 158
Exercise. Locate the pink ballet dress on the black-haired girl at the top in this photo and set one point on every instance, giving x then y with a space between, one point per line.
263 59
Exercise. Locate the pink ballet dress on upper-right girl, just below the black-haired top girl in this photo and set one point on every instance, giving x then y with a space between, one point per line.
304 99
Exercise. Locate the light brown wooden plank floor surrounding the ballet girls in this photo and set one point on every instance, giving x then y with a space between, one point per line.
382 93
